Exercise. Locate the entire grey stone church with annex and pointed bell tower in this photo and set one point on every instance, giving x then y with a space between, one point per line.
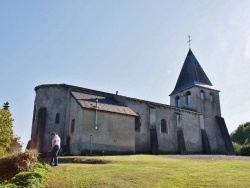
96 122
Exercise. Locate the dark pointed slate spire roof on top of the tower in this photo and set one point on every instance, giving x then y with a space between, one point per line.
191 74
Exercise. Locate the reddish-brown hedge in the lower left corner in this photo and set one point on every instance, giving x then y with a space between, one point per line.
13 164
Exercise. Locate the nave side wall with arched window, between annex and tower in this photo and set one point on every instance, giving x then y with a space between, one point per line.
151 116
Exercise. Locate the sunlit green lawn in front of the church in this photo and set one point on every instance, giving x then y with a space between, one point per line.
151 171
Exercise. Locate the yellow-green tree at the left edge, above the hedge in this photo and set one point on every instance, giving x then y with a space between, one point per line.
6 133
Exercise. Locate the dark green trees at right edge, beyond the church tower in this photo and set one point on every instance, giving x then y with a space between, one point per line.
241 139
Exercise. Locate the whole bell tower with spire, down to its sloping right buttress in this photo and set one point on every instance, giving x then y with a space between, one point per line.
194 91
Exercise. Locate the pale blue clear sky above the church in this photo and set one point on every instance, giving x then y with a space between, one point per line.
136 47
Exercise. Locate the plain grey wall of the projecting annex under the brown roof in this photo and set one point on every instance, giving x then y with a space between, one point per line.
114 133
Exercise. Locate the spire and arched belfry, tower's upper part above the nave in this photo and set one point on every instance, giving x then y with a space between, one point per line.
194 91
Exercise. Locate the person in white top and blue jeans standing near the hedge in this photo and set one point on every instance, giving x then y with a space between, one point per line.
56 141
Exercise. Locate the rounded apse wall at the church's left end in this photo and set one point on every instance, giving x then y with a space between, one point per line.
54 100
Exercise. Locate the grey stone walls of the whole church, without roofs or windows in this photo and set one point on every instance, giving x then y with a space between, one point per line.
116 133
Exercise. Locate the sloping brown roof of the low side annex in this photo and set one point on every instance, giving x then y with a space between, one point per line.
105 103
